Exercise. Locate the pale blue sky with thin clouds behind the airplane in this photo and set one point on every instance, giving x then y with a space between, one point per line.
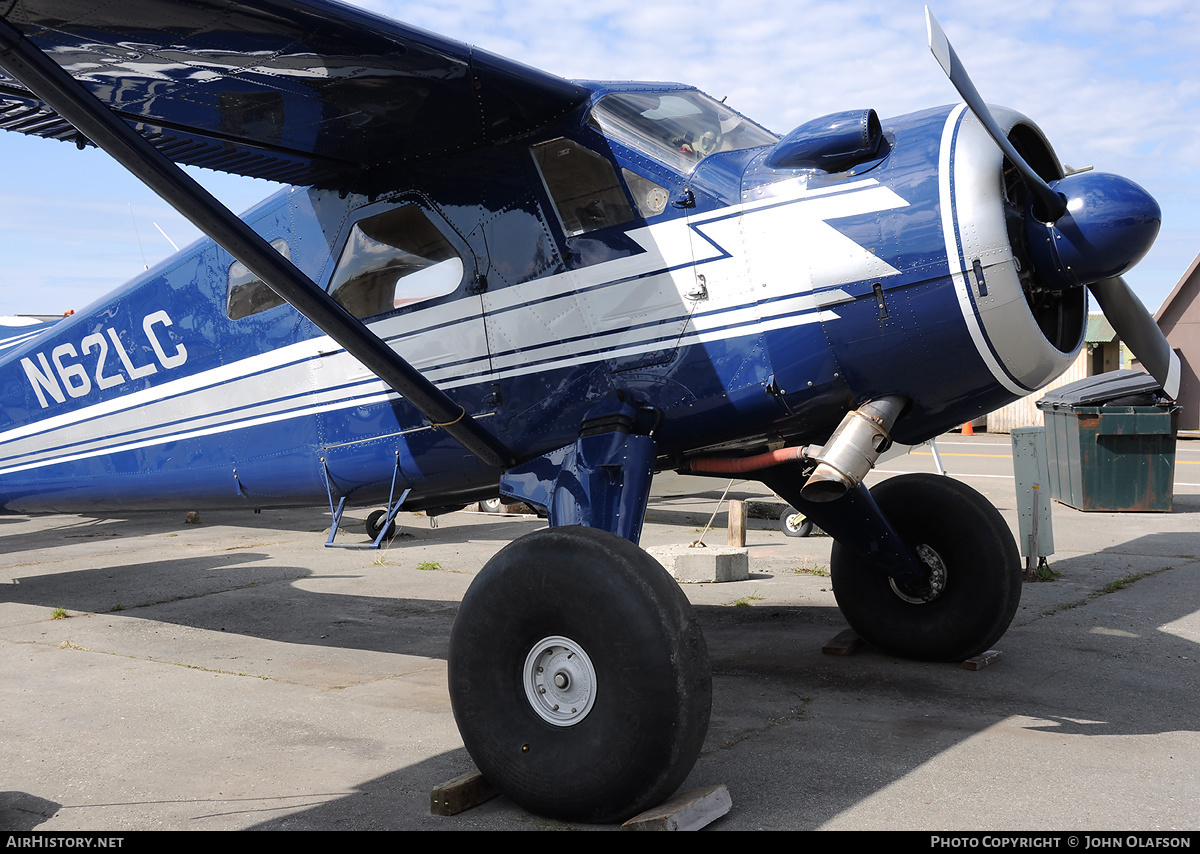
1112 85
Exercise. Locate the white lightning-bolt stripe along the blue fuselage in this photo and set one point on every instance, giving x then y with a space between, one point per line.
619 309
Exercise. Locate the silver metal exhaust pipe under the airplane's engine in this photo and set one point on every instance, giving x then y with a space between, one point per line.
854 448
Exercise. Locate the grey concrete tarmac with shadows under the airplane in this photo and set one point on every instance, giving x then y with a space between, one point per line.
236 675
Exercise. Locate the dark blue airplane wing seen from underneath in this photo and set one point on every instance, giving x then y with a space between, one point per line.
299 92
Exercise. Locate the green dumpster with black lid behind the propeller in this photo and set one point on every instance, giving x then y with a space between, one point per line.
1111 458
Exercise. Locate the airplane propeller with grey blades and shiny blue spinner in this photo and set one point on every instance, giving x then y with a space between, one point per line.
1084 230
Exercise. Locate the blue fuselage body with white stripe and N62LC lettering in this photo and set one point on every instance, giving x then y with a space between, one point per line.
758 312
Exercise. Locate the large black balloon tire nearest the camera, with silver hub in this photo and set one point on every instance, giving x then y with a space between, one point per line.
644 671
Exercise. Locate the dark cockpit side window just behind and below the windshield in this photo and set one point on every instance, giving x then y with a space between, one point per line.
584 187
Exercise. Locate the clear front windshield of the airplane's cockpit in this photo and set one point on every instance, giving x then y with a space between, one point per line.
681 128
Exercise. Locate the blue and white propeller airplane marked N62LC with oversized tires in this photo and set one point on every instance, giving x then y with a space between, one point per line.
488 279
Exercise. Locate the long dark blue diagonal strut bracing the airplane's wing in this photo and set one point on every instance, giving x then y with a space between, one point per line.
44 77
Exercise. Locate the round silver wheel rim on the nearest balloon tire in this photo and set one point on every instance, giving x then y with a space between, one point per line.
560 682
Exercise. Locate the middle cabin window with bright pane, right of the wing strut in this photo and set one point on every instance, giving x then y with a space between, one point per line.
395 260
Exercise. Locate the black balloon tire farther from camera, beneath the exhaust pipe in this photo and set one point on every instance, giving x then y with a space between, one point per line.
949 524
